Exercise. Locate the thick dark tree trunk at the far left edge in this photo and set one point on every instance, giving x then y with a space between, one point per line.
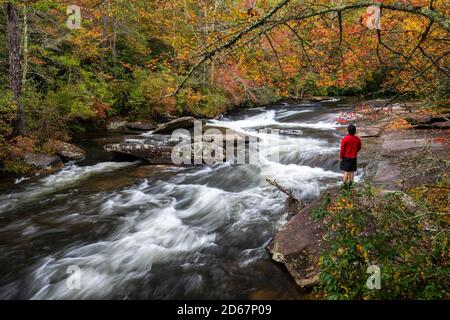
13 29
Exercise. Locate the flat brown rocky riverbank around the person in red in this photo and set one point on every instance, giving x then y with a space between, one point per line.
392 138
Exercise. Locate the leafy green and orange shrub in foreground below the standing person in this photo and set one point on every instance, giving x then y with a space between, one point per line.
407 240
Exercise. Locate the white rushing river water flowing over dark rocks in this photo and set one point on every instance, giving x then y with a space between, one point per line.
159 232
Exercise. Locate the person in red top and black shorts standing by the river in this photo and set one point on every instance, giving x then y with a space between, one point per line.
350 146
